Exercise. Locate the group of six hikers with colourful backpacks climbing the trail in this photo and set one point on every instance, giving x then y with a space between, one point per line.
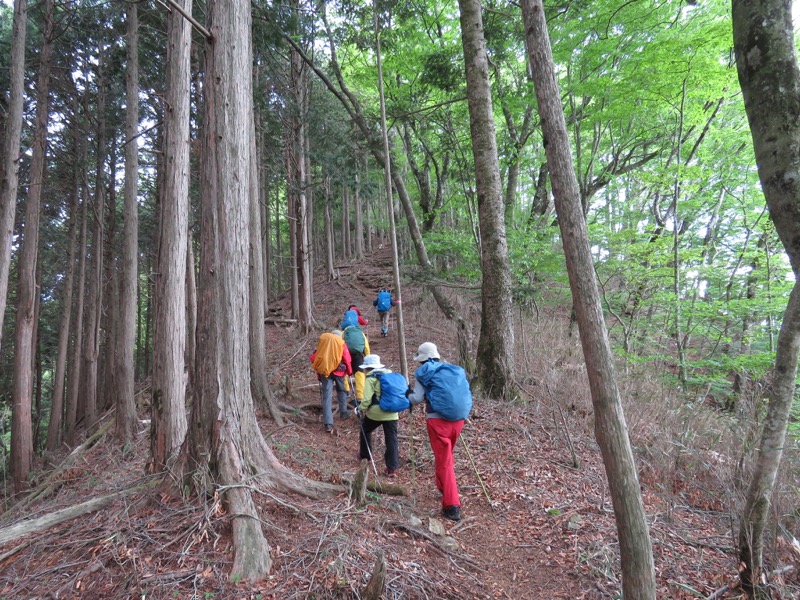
343 361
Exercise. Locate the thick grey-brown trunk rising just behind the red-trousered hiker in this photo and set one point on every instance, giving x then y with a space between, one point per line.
495 359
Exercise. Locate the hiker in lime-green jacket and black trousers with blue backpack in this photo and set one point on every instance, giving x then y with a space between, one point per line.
384 395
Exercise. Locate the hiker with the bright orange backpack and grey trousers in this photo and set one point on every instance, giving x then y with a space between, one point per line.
331 361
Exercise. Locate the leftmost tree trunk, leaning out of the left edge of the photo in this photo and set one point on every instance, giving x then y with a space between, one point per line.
9 158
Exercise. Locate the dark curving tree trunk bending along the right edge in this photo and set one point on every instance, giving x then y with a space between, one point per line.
769 76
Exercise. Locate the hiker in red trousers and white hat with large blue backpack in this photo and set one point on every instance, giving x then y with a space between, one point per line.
448 402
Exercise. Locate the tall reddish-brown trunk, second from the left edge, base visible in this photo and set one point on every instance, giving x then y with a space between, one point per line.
21 427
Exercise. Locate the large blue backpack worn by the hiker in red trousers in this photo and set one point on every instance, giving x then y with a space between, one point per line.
446 388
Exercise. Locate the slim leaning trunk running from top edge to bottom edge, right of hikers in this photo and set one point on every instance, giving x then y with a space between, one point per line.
638 572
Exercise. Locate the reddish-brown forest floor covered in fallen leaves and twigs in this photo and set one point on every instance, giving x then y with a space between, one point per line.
535 525
